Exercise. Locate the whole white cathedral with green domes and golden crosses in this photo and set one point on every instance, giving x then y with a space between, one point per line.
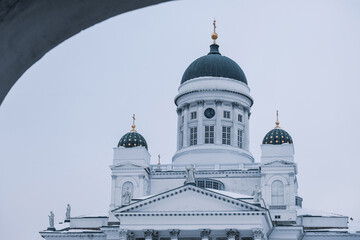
213 189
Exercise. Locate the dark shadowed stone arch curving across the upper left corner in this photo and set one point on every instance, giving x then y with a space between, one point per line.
31 28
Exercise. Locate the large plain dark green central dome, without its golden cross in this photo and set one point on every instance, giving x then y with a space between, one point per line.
214 65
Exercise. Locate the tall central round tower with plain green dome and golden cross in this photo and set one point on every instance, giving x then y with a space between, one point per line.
213 106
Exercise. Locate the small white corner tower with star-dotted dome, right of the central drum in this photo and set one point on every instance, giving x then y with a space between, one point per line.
278 179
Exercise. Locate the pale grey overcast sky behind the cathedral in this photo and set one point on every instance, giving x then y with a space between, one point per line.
60 121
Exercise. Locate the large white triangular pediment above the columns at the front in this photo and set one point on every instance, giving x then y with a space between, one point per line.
188 198
